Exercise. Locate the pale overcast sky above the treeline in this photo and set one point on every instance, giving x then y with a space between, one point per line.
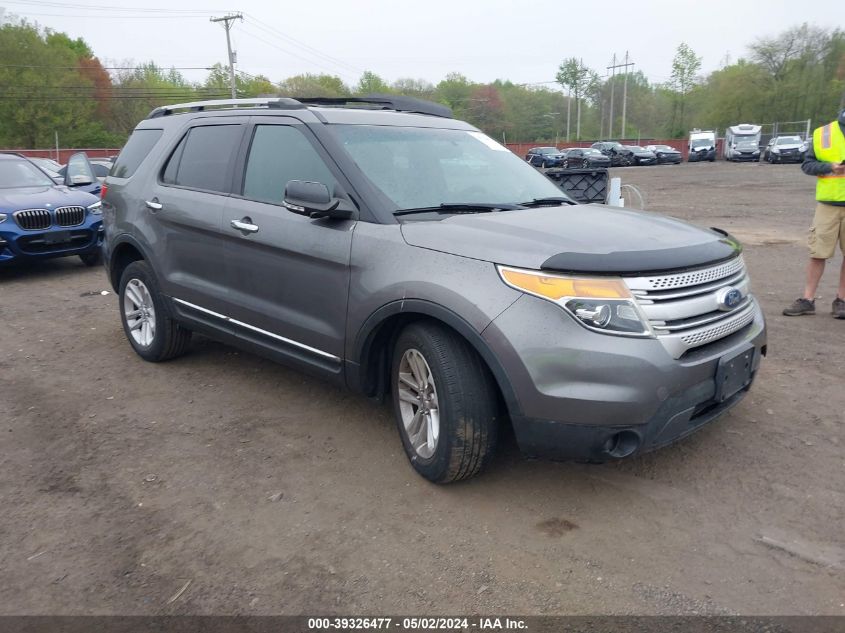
485 40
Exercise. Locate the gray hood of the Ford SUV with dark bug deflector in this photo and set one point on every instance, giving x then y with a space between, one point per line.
581 238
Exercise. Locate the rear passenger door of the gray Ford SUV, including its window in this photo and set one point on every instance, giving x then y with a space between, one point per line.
185 204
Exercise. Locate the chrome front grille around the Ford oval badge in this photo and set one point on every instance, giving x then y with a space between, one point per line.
685 309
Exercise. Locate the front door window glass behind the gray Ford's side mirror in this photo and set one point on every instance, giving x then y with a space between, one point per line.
277 155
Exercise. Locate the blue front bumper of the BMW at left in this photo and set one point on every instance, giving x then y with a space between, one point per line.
19 245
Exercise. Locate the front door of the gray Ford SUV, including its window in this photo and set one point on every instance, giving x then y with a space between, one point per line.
288 279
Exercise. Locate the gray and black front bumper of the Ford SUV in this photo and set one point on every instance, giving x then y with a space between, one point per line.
593 397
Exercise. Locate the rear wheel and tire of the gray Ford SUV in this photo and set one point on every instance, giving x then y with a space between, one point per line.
147 323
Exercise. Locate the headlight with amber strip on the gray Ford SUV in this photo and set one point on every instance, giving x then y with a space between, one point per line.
600 304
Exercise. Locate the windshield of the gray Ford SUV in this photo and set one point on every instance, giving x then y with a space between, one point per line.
427 167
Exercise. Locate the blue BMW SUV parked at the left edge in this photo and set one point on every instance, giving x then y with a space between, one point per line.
40 219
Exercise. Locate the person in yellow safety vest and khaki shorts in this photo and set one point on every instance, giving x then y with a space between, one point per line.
825 159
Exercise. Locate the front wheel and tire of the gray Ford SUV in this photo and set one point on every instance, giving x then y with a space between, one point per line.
444 402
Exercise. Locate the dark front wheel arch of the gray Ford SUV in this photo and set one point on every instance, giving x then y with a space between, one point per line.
368 366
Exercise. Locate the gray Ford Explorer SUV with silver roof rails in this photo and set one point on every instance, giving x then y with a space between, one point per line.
381 244
